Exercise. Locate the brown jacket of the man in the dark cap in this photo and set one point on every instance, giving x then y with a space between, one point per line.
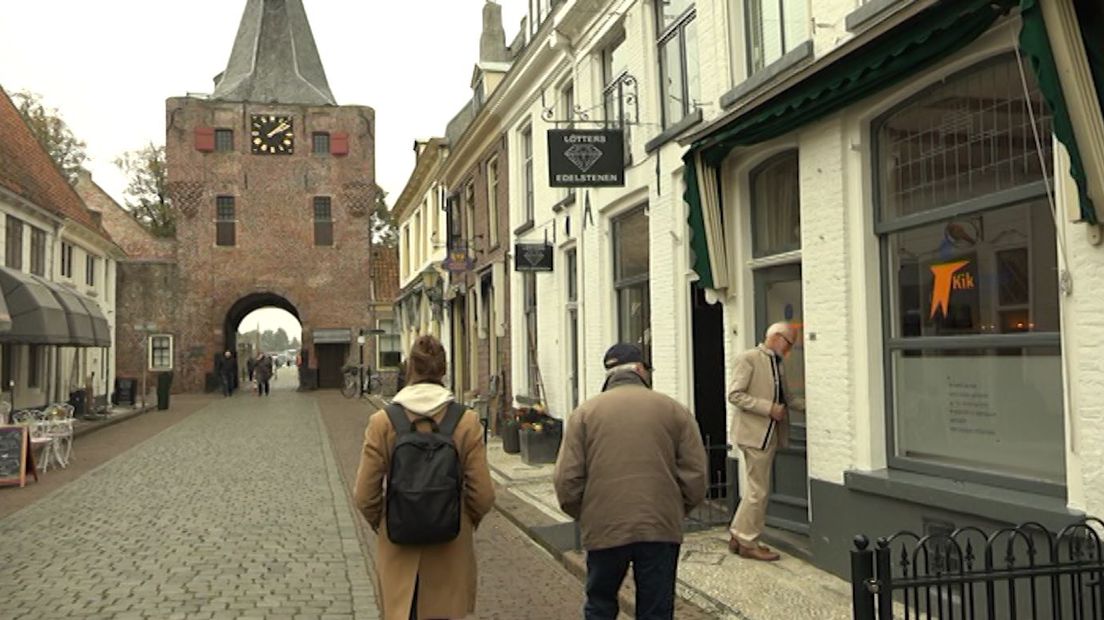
631 467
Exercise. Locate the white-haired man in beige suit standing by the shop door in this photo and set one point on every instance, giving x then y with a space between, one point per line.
762 398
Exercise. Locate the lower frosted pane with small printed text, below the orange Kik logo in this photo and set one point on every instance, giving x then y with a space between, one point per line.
999 410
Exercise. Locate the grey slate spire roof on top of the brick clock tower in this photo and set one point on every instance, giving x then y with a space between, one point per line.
275 59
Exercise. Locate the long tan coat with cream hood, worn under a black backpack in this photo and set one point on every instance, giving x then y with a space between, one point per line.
447 573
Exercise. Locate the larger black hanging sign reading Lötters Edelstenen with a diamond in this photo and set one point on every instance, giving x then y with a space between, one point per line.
587 158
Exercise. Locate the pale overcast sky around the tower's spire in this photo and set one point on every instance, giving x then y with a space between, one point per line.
109 66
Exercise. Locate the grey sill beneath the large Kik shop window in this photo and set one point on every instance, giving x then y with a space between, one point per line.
968 498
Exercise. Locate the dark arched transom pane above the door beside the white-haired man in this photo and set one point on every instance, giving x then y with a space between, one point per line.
777 207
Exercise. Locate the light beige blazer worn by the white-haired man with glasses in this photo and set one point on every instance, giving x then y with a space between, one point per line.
752 391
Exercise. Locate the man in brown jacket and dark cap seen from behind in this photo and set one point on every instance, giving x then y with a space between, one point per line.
631 468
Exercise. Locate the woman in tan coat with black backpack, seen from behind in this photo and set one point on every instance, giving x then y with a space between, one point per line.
424 486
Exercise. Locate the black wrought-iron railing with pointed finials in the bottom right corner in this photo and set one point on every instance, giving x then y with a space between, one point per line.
1025 572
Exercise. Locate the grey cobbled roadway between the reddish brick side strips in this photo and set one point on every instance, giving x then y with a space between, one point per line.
237 511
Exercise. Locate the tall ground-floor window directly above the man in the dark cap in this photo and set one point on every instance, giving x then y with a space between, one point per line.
632 280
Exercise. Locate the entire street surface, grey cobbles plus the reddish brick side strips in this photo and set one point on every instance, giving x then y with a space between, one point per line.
238 510
